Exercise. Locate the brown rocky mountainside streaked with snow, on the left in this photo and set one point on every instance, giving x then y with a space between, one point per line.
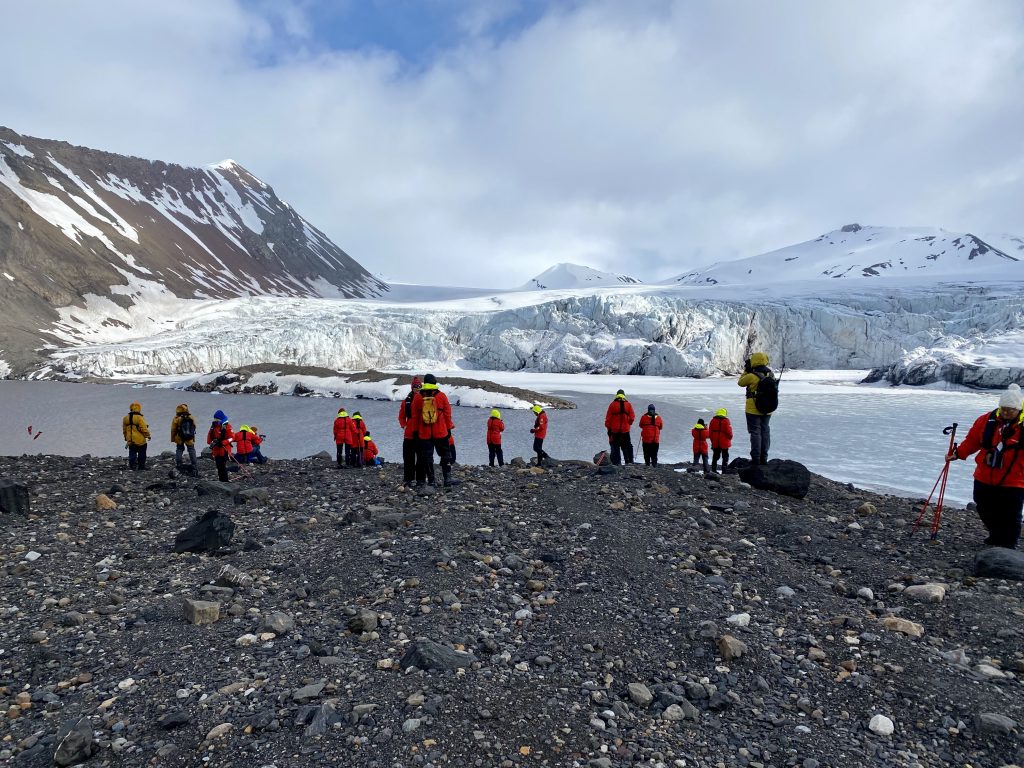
76 222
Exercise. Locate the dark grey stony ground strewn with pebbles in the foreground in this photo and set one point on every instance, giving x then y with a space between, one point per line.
529 617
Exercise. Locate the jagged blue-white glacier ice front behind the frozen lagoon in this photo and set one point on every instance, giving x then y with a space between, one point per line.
637 330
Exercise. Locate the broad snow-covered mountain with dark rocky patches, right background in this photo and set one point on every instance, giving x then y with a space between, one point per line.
857 251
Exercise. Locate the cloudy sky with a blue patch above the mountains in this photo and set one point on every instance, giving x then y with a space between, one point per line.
479 143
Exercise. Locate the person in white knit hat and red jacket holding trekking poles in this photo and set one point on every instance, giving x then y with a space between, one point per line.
999 475
